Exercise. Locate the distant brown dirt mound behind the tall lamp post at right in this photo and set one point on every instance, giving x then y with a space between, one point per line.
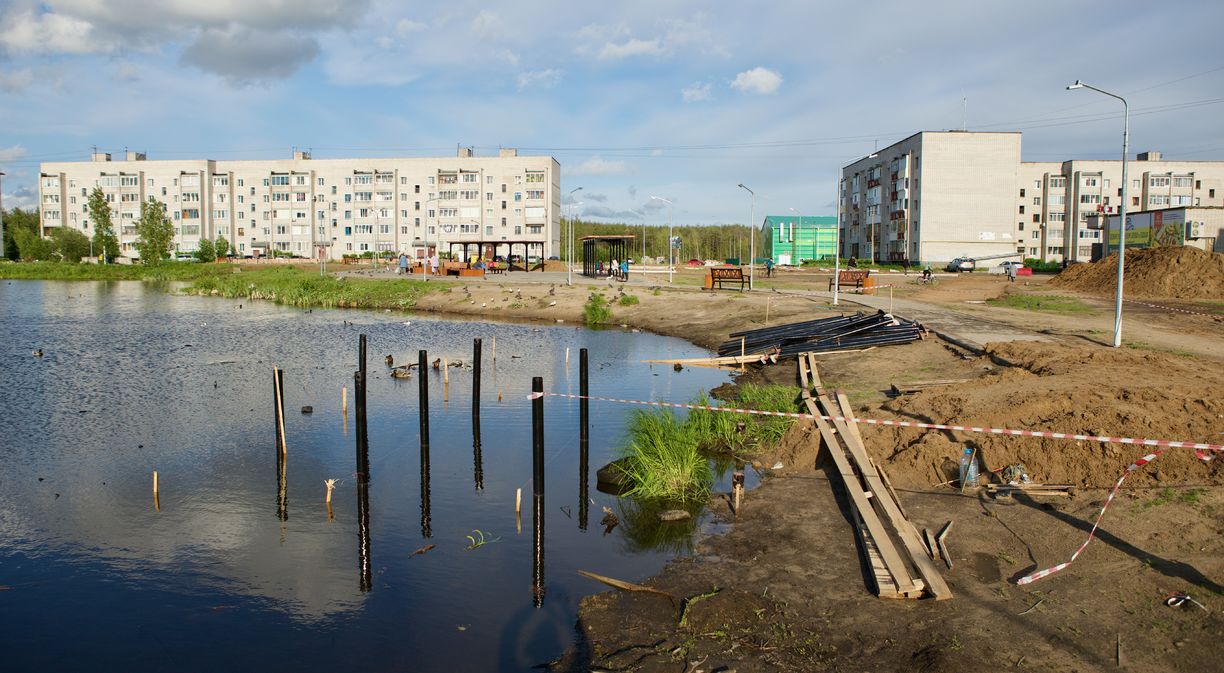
1176 272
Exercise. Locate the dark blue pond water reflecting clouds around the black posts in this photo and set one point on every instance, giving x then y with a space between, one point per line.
232 573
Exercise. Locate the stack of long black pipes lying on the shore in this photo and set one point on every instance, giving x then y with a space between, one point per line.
861 331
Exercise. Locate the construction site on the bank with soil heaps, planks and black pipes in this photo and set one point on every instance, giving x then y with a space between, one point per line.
976 479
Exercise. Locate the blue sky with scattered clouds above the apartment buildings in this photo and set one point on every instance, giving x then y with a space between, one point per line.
677 100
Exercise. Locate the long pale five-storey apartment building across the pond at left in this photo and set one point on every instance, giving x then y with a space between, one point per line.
309 207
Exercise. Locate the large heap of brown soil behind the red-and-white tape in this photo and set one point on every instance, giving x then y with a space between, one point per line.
1063 389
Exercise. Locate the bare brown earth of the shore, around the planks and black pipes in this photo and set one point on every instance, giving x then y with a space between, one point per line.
793 594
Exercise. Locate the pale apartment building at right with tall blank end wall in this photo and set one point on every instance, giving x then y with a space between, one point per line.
941 195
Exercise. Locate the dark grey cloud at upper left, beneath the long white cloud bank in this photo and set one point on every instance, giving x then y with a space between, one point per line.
243 56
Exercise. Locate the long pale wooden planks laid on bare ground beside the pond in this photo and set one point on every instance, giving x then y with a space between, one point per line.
900 561
